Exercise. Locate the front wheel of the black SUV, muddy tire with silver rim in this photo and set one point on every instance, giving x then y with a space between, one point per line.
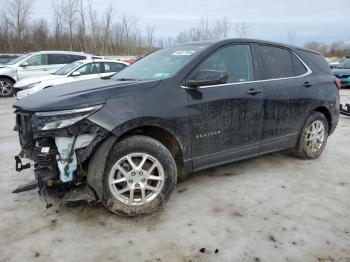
118 167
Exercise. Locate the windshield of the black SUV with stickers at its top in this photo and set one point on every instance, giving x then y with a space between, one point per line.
161 64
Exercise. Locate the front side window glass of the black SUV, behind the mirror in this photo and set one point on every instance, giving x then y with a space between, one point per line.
235 60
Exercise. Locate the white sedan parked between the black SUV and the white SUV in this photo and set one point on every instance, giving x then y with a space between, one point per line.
76 71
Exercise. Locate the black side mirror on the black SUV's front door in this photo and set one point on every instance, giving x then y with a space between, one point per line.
206 78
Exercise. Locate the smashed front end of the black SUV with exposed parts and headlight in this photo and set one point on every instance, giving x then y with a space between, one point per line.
59 143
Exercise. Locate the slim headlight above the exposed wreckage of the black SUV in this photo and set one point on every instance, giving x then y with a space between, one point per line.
65 118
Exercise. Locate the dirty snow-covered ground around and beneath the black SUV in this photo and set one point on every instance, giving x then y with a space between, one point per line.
270 208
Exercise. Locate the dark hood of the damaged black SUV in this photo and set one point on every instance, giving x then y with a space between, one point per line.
79 94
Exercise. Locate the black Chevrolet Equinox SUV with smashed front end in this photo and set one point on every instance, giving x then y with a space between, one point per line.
127 140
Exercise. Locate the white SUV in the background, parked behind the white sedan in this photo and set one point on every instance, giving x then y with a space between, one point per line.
35 64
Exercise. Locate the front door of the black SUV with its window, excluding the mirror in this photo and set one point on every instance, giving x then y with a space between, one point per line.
226 119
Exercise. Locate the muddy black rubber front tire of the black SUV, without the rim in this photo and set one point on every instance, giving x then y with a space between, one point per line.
146 145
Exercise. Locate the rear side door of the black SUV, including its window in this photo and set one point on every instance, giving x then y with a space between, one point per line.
289 94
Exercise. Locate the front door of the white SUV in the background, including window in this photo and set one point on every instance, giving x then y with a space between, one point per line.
37 65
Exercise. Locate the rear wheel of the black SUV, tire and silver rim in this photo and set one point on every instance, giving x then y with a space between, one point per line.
306 147
